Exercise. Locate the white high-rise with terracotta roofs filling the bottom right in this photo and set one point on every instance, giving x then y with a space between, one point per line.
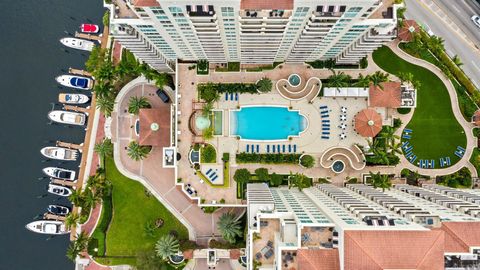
359 227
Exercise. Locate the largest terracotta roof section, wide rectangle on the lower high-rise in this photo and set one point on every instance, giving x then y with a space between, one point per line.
378 250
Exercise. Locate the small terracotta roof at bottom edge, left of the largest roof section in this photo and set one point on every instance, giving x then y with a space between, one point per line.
318 259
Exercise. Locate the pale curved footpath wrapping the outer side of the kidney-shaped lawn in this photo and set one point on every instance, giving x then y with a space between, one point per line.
467 127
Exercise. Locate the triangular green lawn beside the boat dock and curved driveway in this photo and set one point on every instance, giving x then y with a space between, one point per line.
132 209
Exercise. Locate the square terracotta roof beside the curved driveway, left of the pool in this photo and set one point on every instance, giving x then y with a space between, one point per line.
149 117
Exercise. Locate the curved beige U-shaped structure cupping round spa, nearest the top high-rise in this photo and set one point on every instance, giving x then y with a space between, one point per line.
309 90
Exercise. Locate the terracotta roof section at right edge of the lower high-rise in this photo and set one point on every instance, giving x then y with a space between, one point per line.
460 236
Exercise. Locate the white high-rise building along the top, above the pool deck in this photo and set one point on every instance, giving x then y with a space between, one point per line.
251 31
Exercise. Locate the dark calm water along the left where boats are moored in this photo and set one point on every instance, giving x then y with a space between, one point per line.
31 57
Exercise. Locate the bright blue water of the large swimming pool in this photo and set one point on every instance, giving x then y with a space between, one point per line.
266 123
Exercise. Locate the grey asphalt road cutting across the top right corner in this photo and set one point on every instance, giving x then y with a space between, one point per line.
455 27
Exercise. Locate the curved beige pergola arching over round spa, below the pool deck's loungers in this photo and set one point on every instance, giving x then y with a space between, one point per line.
354 156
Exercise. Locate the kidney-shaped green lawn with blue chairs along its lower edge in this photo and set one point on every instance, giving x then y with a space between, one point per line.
436 132
